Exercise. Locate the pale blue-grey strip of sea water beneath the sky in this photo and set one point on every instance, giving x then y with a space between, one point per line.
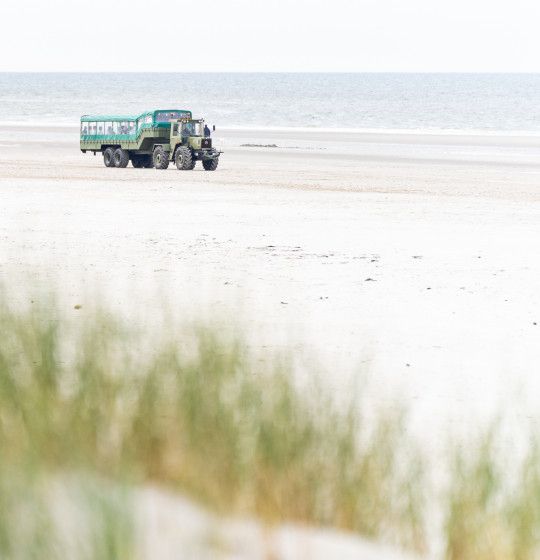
460 102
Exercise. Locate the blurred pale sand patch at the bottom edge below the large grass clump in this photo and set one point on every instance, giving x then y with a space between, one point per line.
172 524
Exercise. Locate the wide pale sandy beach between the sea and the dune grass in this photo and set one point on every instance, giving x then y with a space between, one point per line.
411 256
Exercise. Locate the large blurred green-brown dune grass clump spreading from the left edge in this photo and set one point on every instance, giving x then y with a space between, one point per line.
84 397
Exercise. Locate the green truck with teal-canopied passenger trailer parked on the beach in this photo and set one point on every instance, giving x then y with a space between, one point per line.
152 139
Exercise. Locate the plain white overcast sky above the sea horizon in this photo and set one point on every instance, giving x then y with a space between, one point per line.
270 35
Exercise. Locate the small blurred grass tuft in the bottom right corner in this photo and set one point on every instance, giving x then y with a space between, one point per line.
493 502
